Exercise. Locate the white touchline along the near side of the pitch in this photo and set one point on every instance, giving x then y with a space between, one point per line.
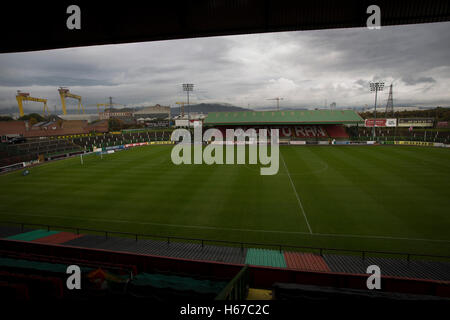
229 229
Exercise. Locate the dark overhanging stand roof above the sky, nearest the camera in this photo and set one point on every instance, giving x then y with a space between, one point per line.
176 19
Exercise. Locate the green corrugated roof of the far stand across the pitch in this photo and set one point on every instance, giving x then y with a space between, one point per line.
283 117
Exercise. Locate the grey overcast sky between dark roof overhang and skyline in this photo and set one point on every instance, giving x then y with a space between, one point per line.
306 68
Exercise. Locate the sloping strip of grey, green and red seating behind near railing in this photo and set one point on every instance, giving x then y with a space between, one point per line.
436 270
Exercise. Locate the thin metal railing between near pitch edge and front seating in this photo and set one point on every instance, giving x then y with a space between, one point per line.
240 244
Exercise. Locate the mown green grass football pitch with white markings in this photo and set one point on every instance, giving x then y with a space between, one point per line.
355 197
